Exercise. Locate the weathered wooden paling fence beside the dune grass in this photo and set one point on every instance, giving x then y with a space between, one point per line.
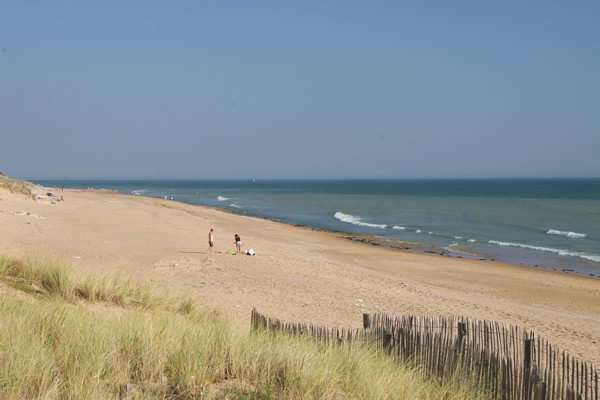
510 362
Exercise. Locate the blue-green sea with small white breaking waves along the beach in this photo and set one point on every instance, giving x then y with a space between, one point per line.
548 223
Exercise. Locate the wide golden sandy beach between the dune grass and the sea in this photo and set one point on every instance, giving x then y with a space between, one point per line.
298 274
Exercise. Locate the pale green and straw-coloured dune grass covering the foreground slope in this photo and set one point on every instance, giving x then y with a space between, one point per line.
55 344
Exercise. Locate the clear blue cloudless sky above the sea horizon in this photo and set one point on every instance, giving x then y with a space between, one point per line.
306 89
